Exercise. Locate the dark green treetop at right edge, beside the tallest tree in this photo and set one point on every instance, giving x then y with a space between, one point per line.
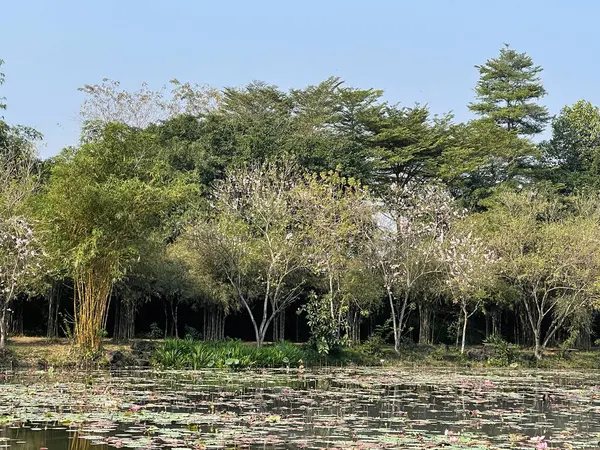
571 158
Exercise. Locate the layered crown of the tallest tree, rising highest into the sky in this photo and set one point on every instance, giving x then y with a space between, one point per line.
507 90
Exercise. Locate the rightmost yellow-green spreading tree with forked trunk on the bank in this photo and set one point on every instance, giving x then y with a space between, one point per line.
549 252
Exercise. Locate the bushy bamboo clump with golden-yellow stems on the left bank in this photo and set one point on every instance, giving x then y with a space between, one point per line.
102 201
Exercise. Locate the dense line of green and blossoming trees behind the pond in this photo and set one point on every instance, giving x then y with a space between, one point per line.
327 201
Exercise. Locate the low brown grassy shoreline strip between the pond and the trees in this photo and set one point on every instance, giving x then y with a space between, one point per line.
38 353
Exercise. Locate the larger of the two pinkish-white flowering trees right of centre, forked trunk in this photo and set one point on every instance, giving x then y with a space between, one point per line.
413 225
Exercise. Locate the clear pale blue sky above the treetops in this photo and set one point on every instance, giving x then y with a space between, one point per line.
417 51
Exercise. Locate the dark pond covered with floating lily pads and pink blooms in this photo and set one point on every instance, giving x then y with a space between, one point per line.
335 408
